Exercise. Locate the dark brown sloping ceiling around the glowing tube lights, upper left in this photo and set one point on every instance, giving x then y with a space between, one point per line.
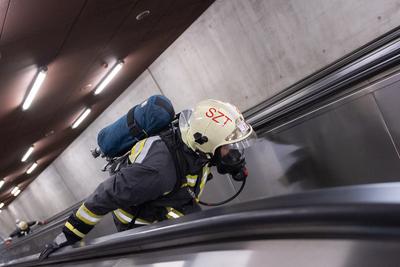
79 41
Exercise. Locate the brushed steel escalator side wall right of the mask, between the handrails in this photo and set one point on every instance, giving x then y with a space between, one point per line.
347 142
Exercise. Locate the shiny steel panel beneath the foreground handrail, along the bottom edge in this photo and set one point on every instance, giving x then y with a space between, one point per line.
282 253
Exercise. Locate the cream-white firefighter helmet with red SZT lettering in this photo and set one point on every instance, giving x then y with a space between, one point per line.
213 124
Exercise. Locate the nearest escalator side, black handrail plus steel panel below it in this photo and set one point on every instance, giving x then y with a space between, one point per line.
349 226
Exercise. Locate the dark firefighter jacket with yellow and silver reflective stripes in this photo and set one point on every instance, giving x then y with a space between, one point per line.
161 179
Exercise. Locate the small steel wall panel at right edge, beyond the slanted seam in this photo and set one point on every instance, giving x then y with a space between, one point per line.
388 99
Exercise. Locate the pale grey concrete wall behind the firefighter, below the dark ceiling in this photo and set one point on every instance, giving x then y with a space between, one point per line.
242 51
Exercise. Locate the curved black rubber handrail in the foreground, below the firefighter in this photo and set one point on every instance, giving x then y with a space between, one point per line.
365 212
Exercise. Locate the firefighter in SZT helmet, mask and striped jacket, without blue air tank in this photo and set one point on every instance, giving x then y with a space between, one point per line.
164 175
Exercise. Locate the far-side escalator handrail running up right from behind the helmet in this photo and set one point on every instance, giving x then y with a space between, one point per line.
369 60
